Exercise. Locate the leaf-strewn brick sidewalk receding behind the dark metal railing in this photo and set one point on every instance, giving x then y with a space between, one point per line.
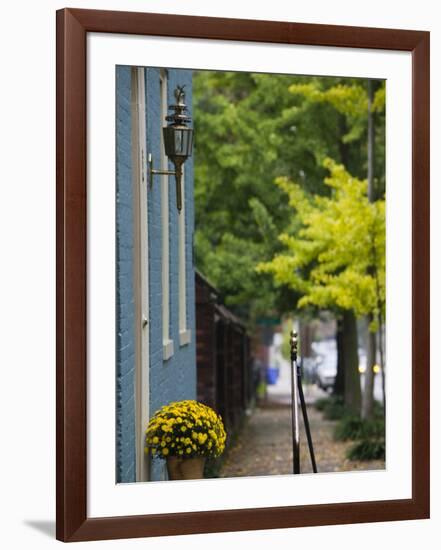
265 445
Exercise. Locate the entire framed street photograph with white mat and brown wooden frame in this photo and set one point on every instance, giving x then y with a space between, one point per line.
242 274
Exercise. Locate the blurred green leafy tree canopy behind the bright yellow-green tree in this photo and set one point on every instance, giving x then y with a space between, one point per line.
251 128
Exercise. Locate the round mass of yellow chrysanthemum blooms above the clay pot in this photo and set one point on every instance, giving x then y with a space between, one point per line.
185 429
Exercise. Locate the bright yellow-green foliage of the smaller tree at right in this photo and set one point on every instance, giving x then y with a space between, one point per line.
337 257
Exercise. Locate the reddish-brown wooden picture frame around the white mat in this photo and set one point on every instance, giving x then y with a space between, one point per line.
72 523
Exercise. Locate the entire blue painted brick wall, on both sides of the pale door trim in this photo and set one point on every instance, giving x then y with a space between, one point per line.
175 378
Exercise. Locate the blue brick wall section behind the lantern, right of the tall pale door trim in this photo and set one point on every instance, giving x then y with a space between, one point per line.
175 378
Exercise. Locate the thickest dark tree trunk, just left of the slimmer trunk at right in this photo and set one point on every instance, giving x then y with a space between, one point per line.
350 352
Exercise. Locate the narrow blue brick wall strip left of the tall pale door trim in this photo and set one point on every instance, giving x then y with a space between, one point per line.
125 342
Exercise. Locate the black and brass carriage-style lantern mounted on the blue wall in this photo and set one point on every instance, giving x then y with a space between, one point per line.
178 142
